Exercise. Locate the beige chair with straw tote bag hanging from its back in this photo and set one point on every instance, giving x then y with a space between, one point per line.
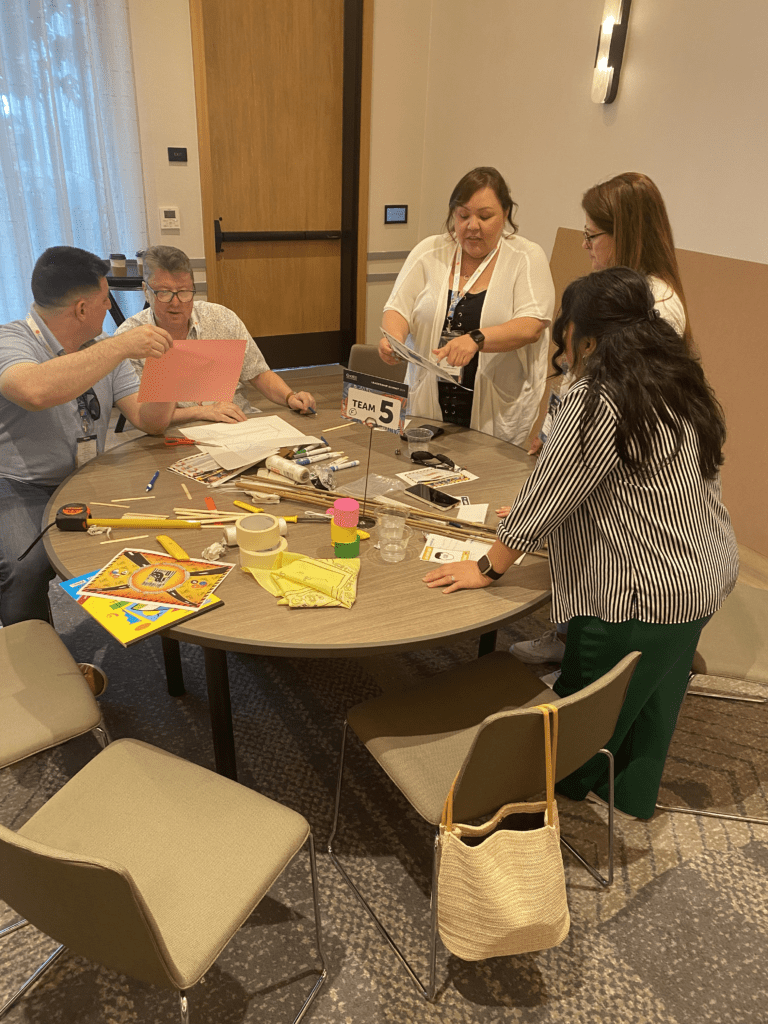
478 718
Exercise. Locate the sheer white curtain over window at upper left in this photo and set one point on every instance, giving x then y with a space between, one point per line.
70 156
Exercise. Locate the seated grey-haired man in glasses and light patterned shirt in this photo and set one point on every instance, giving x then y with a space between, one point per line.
169 287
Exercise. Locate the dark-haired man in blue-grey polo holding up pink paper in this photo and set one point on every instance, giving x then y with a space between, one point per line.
57 393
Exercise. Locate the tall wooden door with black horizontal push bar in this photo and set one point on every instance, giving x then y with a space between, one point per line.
279 87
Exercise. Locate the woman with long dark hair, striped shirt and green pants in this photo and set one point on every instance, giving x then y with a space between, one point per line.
627 496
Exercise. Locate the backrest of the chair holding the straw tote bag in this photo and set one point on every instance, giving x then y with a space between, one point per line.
506 764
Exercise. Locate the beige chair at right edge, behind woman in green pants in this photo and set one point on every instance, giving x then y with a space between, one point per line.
734 646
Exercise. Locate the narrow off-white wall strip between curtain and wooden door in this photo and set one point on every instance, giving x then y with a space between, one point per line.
165 94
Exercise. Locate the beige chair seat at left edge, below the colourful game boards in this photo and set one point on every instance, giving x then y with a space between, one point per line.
45 700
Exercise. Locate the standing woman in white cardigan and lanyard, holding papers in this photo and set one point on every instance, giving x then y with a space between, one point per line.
482 298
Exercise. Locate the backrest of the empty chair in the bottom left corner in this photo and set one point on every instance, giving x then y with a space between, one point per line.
92 907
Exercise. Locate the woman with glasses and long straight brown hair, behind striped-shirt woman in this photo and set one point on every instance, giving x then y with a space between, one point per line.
625 225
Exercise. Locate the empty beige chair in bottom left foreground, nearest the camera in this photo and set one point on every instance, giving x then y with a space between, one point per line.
149 865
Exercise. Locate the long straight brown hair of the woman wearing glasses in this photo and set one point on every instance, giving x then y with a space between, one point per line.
630 207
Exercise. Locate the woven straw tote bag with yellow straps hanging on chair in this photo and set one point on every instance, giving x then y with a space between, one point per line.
501 886
